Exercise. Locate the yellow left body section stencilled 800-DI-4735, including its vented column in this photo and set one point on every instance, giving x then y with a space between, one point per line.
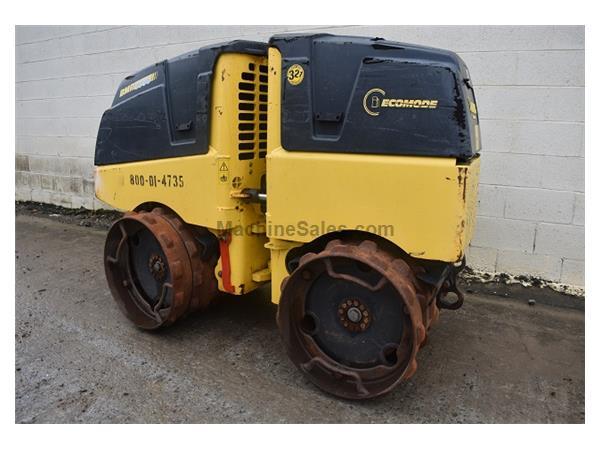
202 188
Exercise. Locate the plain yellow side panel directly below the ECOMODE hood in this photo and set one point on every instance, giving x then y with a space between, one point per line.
424 205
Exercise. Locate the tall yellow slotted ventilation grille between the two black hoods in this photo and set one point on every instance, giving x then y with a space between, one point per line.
252 113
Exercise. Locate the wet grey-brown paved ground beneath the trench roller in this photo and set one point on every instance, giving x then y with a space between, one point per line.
79 360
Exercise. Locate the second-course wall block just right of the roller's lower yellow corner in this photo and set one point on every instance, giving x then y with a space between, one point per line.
504 234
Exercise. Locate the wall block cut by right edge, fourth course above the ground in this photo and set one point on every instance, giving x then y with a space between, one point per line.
566 173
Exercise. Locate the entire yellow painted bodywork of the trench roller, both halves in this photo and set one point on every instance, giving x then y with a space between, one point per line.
424 205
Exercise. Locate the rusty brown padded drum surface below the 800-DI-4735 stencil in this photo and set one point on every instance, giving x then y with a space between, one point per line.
191 283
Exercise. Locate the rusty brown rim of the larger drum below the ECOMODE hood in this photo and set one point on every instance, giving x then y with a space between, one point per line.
334 376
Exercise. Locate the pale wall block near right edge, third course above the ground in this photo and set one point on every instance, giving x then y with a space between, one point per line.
539 205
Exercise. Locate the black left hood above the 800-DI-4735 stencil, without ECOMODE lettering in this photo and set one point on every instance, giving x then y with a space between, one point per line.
162 111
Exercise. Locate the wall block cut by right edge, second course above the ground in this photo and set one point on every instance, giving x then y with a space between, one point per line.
565 241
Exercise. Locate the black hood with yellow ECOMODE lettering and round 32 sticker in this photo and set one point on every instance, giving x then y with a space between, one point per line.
369 95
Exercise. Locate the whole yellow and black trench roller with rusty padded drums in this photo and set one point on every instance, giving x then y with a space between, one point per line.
341 170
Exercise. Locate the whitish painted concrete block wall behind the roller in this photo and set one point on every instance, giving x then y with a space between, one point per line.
529 83
